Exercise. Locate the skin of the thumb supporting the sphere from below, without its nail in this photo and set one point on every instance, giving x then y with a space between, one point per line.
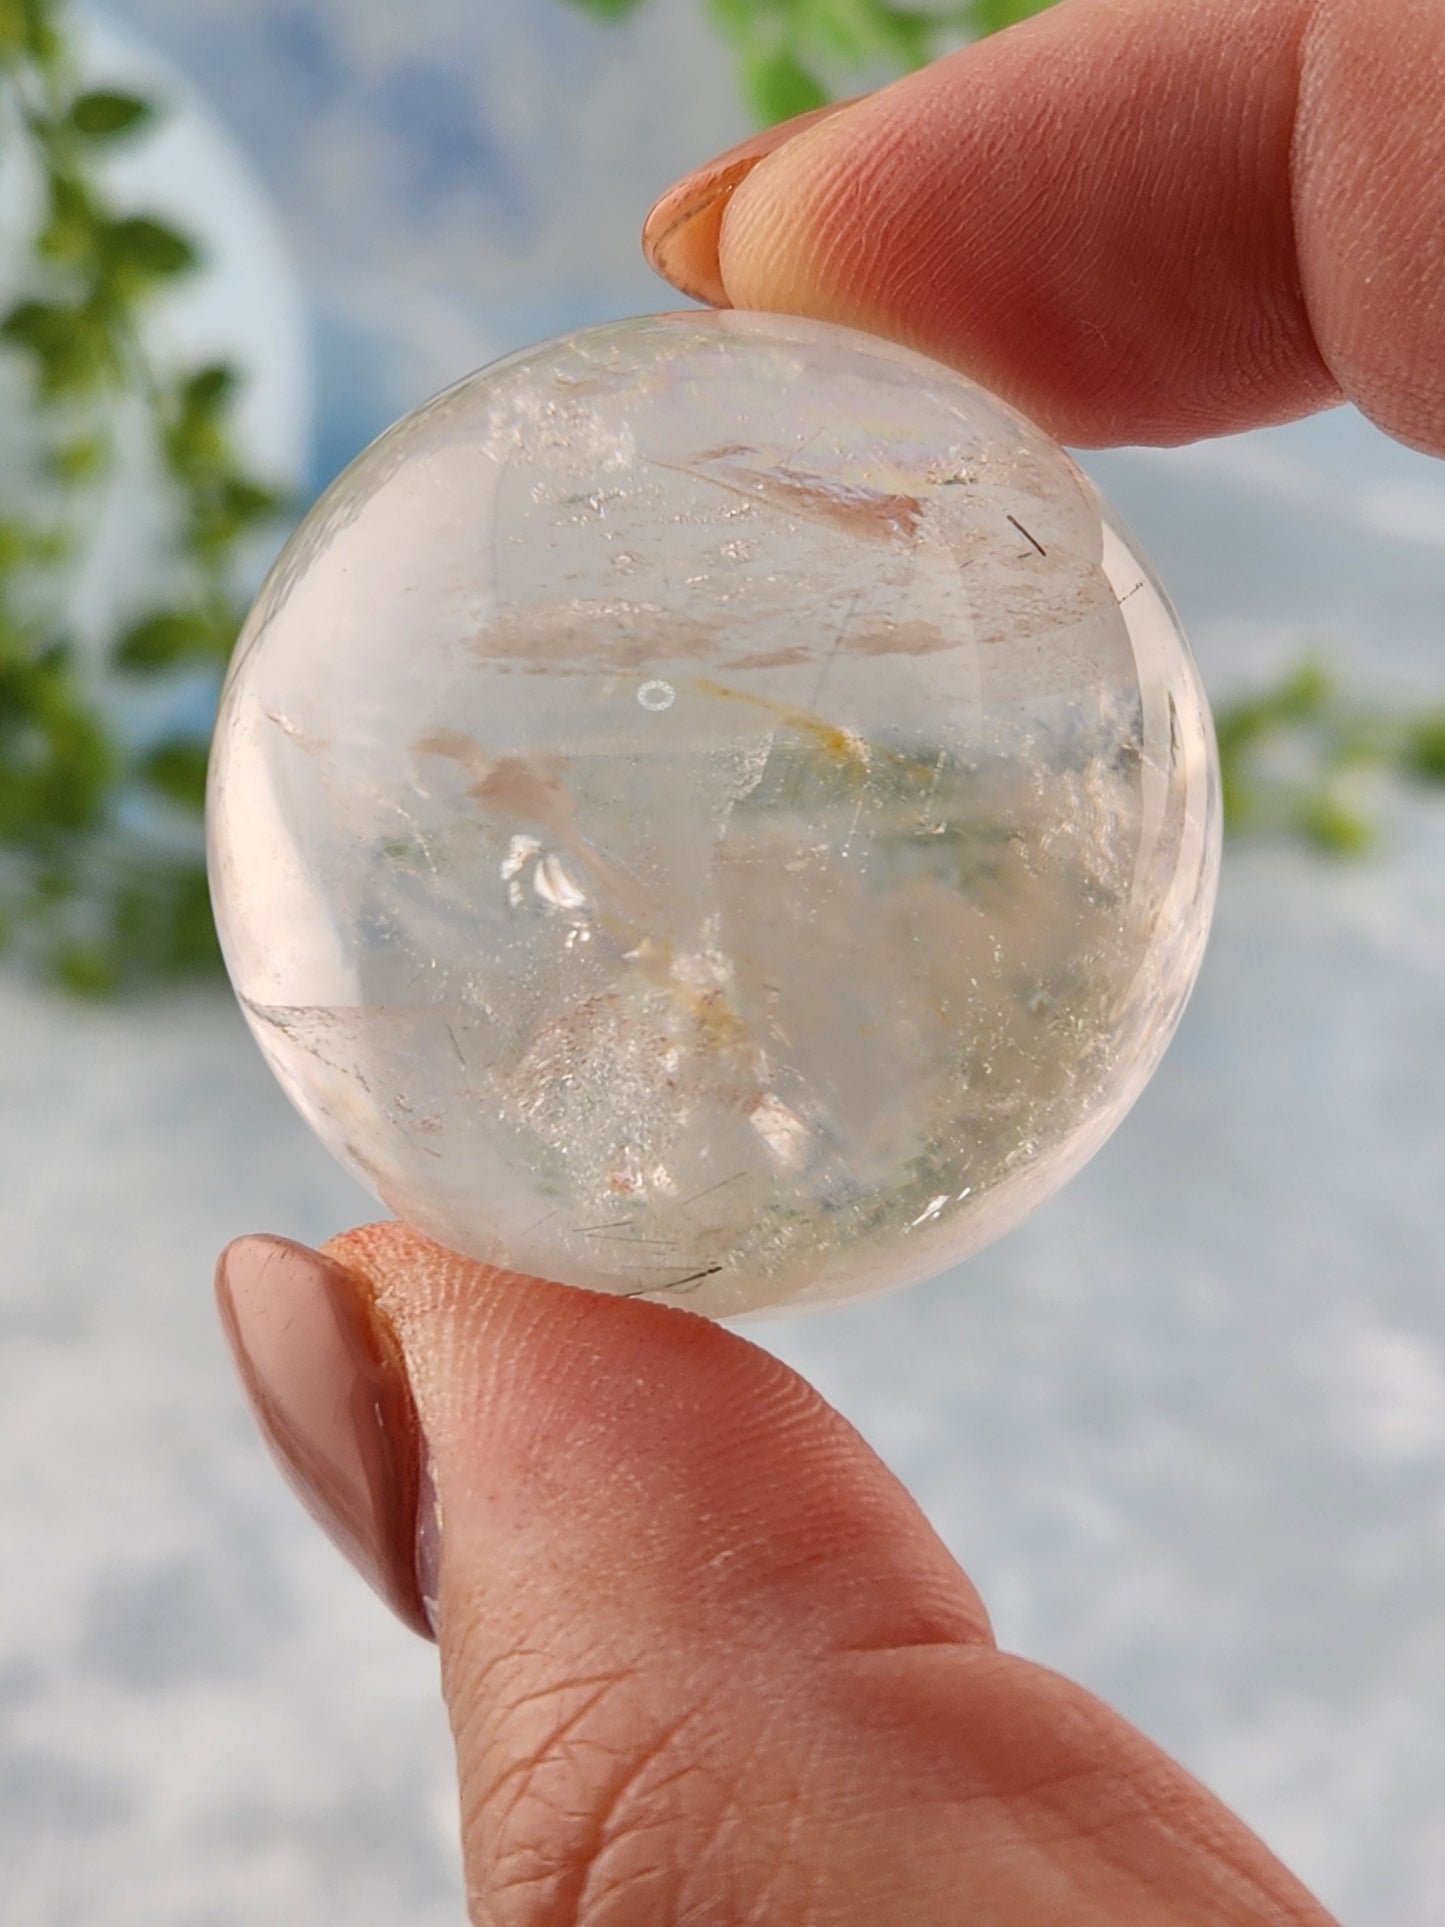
710 1666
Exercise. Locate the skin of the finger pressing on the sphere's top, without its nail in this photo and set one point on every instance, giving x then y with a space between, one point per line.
1142 221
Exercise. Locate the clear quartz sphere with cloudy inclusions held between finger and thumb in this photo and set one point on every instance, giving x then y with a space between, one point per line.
712 808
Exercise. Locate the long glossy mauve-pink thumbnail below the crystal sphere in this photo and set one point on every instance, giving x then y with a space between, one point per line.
328 1386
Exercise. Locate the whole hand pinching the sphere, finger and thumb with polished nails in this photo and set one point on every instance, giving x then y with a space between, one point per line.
706 1662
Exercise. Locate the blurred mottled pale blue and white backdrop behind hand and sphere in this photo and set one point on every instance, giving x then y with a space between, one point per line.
1188 1427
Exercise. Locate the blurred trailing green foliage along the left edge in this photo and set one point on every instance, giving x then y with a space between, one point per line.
101 870
